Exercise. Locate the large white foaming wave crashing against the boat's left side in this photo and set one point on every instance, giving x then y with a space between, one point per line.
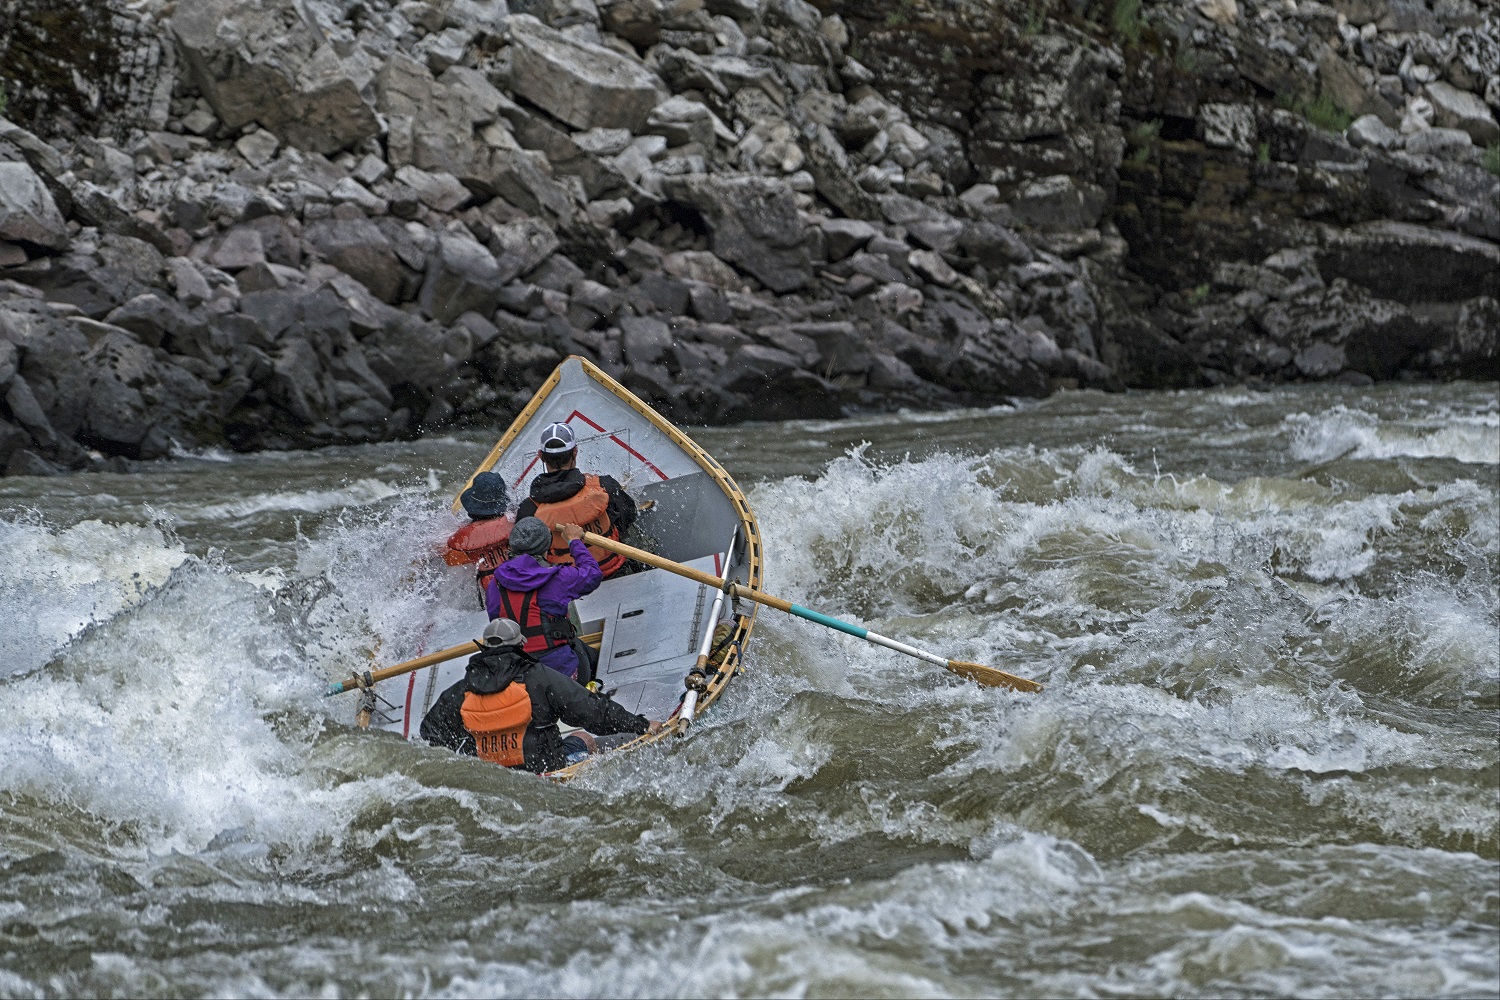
199 713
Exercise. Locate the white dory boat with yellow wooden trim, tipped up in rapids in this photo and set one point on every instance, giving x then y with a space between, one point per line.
647 626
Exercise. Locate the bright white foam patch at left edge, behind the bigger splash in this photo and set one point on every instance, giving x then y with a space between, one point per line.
53 585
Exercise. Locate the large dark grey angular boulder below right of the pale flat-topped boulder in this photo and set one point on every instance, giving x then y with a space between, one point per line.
755 226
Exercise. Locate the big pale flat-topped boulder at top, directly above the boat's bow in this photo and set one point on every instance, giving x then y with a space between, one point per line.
584 85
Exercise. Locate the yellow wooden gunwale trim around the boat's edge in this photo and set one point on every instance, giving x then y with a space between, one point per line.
749 528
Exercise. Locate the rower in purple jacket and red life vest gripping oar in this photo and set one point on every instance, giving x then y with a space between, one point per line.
536 593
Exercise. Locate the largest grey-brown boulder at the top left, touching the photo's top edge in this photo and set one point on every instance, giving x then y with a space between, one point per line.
262 61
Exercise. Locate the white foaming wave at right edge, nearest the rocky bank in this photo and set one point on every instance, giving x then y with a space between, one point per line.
1343 433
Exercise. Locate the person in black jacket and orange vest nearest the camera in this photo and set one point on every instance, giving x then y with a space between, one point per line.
508 708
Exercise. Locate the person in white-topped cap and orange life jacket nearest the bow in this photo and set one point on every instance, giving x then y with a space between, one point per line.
563 496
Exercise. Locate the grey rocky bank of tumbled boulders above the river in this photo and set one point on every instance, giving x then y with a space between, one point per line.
293 223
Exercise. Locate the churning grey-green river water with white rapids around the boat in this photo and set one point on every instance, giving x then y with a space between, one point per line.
1265 762
